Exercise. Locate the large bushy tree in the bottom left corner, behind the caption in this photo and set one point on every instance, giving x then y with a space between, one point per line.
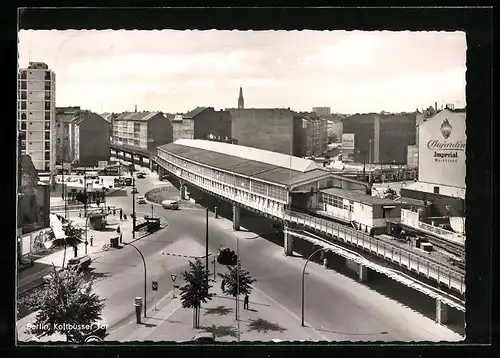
66 305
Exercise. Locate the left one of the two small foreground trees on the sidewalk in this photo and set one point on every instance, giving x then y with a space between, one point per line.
196 289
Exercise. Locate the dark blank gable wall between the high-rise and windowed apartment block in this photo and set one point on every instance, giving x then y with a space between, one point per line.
94 133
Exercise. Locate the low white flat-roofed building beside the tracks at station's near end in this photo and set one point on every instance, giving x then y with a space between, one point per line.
362 211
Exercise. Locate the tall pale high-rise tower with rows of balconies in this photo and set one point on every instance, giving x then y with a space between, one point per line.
37 115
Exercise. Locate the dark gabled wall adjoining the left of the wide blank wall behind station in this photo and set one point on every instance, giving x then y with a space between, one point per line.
213 122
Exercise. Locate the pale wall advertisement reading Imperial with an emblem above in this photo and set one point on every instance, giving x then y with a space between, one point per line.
441 146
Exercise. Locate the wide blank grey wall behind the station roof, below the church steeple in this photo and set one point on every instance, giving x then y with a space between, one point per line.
269 129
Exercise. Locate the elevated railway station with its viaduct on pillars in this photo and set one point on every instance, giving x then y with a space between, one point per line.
286 188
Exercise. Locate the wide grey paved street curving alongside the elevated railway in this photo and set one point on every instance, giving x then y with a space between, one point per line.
337 307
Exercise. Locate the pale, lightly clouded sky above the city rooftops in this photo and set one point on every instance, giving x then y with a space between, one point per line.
176 71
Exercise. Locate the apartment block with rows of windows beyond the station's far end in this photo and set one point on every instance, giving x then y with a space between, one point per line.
141 130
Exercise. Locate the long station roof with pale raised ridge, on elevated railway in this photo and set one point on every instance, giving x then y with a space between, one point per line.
261 164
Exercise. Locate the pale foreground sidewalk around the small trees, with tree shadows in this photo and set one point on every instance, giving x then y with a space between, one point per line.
265 320
